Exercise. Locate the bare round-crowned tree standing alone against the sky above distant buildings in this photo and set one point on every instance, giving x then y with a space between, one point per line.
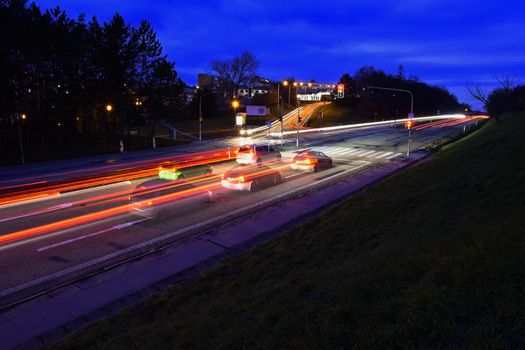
236 71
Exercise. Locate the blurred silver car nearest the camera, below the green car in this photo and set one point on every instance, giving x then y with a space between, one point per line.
155 198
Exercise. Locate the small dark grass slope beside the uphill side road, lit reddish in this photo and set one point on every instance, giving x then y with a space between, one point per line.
333 115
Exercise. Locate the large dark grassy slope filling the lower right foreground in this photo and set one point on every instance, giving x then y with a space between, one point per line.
431 257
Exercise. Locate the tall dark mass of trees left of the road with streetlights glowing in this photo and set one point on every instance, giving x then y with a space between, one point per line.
74 86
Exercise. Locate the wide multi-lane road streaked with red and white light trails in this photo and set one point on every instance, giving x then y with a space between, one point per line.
44 237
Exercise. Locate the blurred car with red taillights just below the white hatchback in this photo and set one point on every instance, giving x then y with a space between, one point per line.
250 177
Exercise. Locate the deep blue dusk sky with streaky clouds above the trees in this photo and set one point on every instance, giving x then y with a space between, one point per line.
444 42
